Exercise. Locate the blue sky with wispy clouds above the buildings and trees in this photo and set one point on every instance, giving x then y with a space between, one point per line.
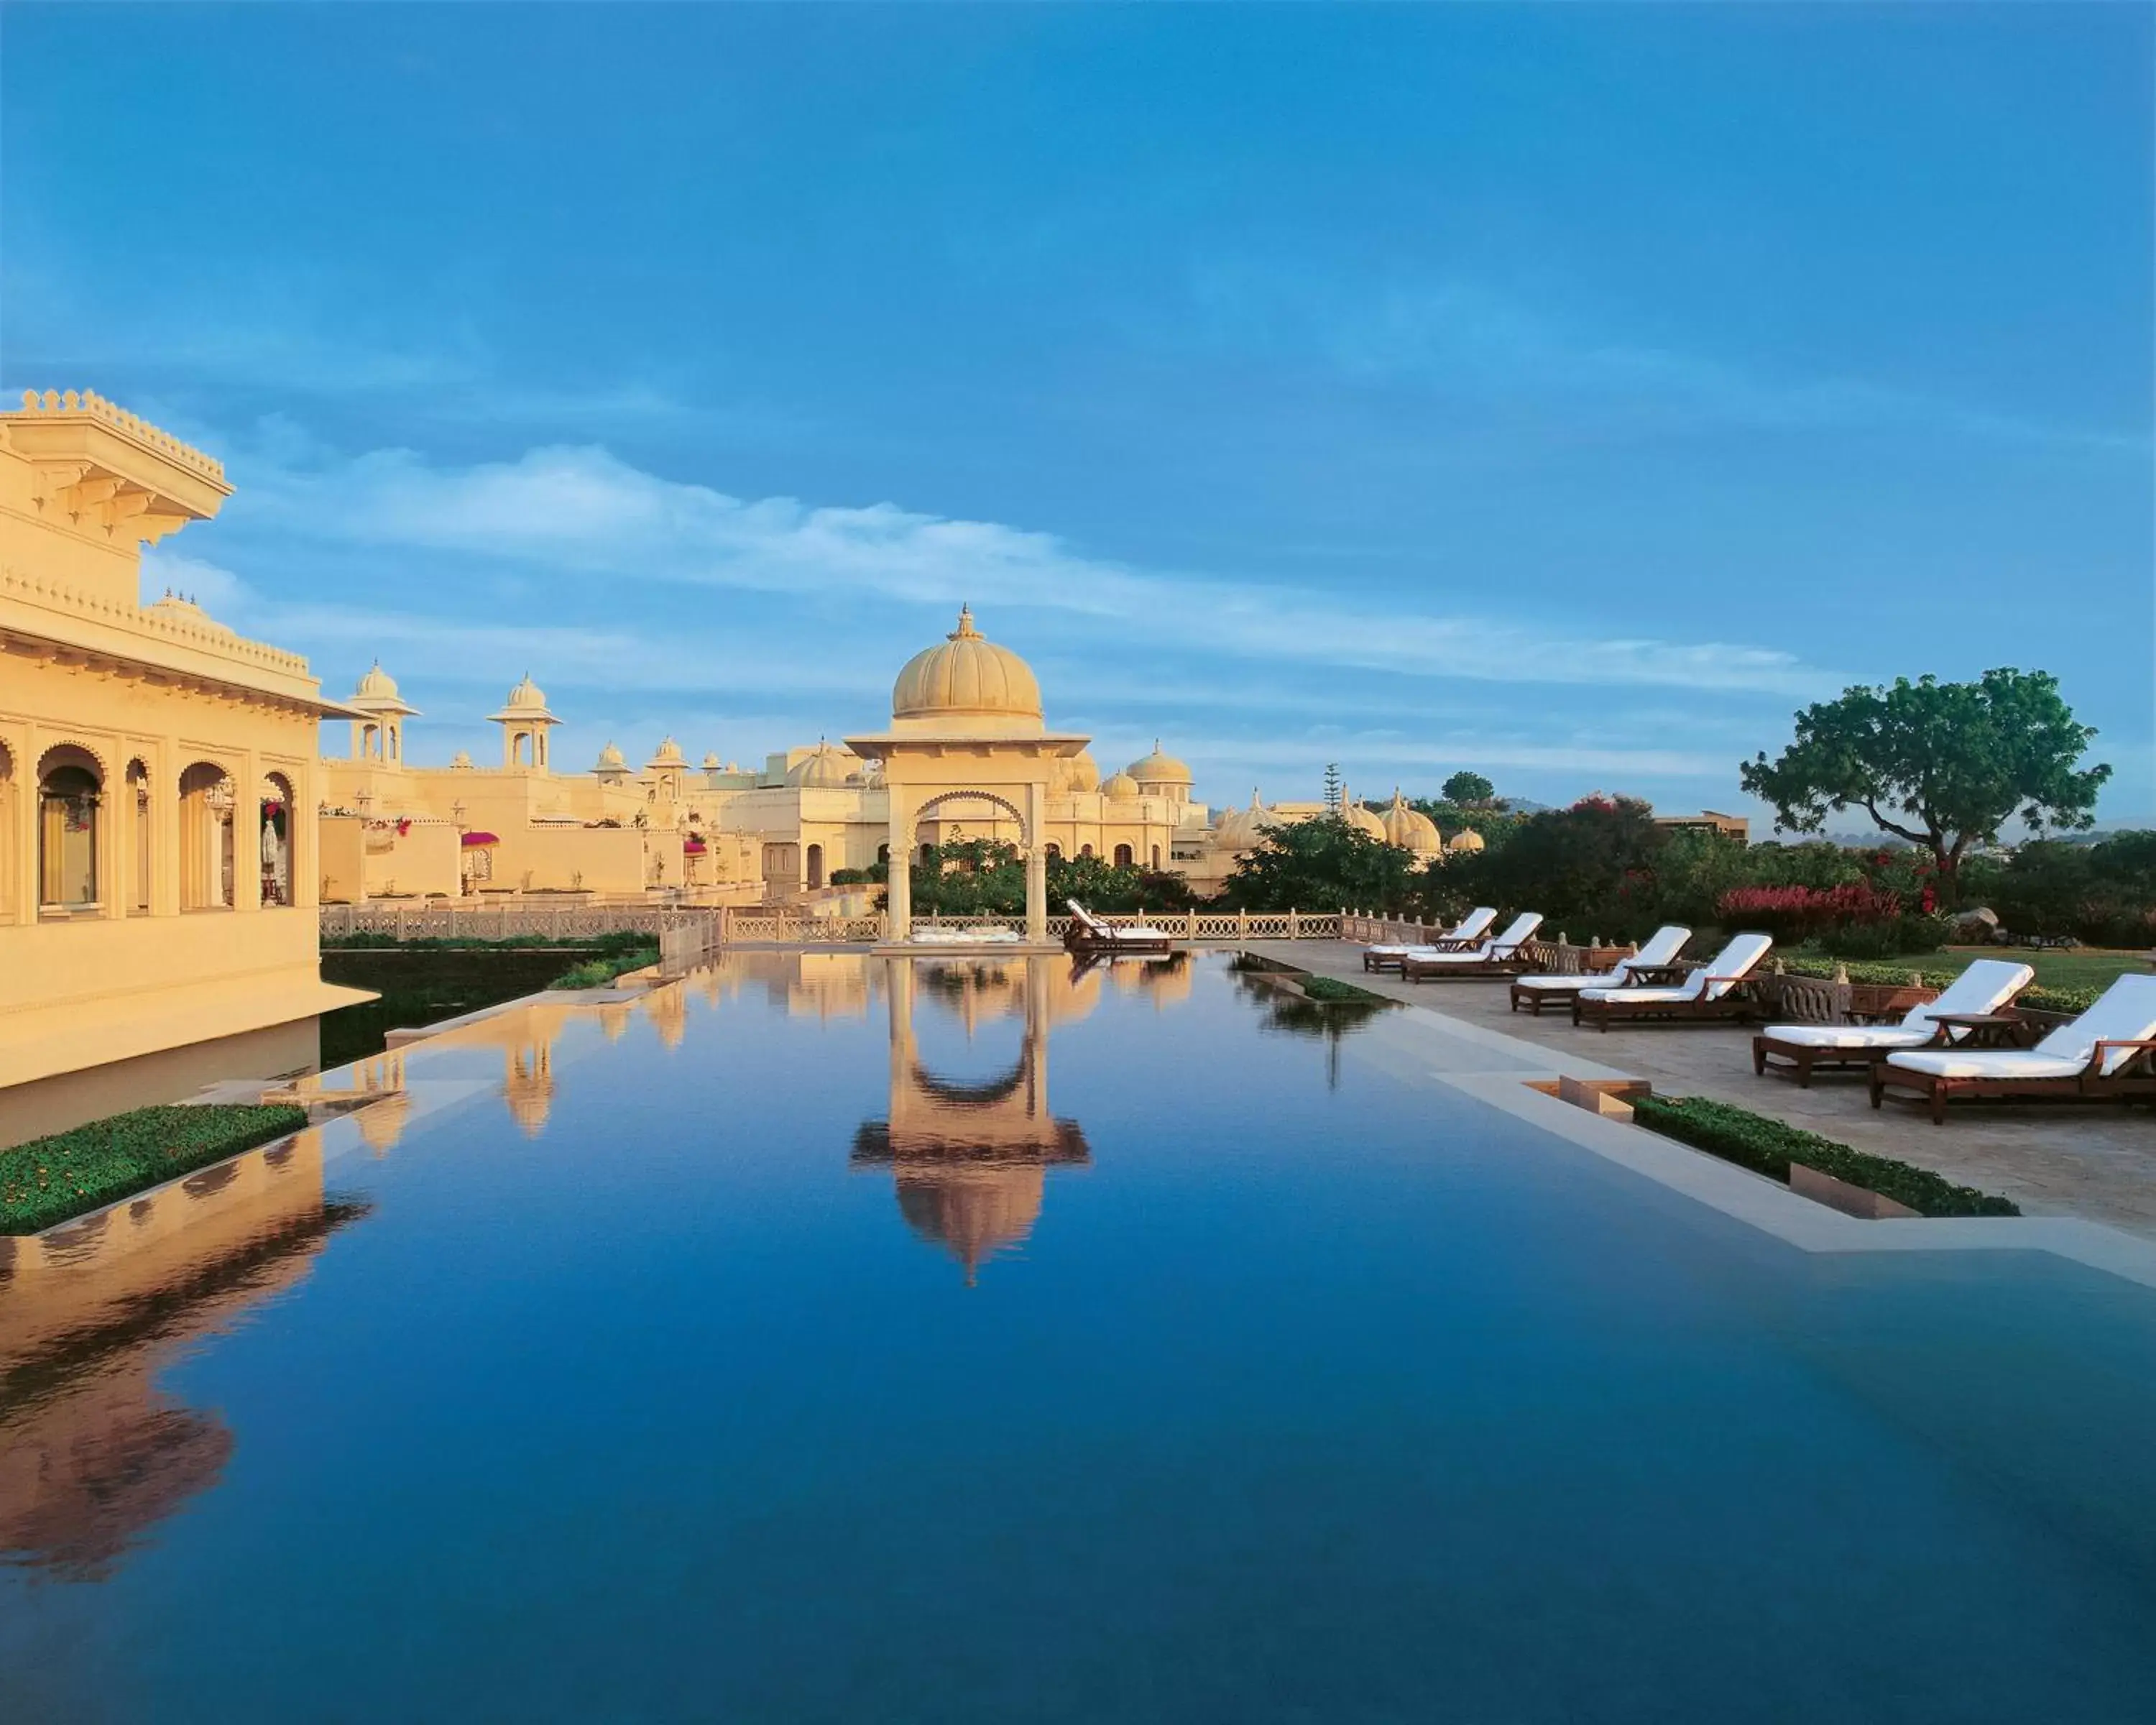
1564 394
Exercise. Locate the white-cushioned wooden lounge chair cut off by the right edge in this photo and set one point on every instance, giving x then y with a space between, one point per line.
2105 1055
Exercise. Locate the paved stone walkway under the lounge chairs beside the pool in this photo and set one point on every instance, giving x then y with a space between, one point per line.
2092 1161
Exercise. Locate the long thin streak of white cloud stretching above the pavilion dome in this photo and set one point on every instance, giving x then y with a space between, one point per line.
583 512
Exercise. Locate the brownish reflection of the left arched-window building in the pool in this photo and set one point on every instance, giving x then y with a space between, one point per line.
92 1452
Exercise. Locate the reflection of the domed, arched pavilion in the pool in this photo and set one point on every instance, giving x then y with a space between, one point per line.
971 1159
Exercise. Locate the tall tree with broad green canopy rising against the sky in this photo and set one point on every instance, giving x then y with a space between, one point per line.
1939 764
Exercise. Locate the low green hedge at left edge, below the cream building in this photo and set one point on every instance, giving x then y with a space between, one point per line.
70 1174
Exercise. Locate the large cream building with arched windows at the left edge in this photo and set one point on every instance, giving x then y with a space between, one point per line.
158 879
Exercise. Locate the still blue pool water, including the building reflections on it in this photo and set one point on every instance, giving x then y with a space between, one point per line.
835 1340
